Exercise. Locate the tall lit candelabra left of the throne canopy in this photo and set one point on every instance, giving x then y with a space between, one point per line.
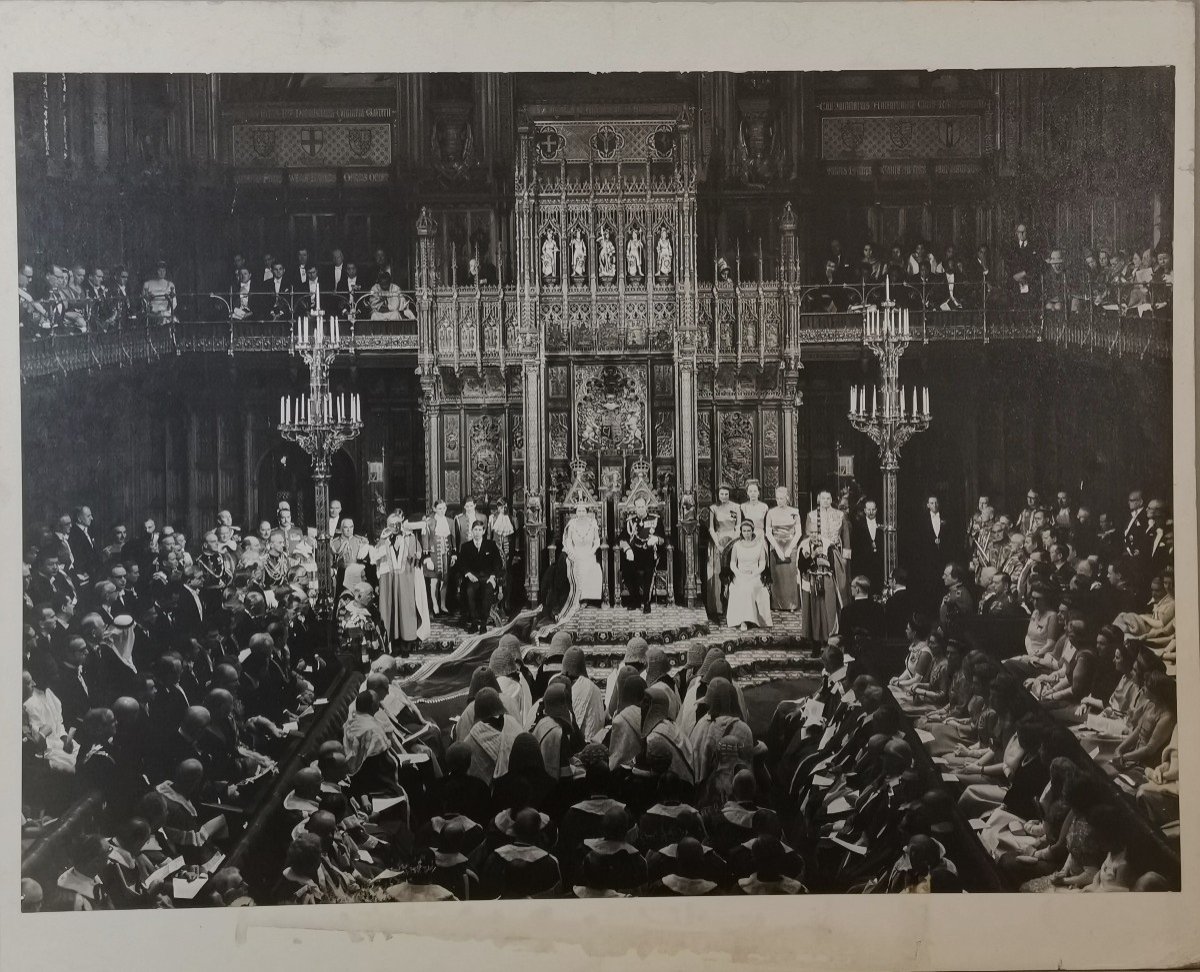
321 423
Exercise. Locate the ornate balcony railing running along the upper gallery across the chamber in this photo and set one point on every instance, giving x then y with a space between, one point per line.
748 323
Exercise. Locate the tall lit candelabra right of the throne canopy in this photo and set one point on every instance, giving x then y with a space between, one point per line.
891 422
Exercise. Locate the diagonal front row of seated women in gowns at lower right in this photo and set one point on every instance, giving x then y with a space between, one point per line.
1045 814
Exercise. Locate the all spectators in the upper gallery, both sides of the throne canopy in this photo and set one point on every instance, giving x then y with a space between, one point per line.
76 298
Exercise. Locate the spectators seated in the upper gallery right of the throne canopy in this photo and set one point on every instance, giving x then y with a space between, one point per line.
1127 283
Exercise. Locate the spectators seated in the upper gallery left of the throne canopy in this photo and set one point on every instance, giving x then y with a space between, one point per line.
80 299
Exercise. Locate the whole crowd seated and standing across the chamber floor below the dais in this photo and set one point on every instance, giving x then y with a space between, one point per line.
171 682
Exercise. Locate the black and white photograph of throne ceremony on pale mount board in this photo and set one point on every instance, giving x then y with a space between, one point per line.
531 485
